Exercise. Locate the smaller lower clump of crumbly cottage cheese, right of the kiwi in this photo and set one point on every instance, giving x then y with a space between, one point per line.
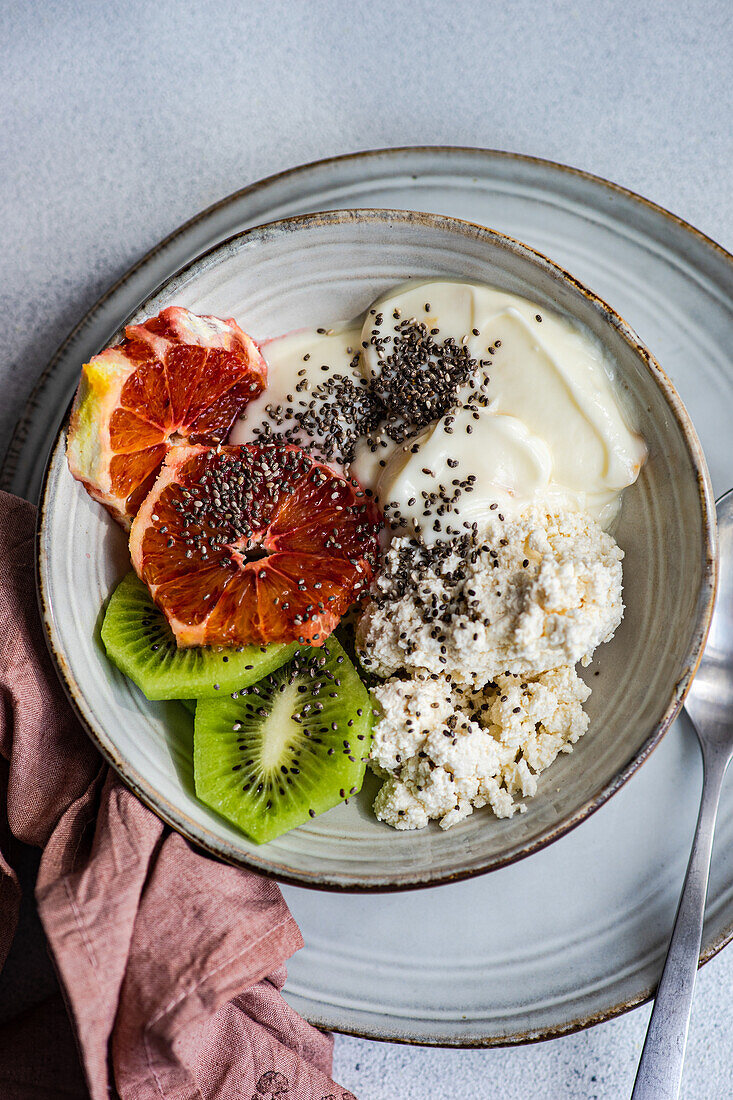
445 752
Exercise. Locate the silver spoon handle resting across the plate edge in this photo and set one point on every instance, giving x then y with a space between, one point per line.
661 1068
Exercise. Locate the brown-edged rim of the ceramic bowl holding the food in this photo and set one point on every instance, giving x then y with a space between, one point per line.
202 837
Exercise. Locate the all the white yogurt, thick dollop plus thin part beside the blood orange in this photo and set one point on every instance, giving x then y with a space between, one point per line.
553 434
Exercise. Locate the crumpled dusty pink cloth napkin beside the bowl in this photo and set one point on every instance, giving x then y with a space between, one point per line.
171 964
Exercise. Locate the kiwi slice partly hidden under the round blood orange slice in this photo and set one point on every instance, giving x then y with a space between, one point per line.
140 642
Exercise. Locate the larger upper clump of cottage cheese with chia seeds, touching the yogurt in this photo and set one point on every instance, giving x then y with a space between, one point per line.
523 596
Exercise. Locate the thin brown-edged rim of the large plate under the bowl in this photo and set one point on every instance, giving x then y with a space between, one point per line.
485 158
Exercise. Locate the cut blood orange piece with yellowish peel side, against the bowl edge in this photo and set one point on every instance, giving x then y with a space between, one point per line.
176 378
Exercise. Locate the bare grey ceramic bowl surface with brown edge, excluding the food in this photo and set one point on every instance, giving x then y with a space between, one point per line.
322 269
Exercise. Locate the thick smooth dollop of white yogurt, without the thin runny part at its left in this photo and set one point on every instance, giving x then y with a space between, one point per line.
554 432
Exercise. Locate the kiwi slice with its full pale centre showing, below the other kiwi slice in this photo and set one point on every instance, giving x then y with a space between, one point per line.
287 749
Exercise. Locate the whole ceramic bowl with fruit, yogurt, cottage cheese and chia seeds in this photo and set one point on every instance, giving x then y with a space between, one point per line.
376 552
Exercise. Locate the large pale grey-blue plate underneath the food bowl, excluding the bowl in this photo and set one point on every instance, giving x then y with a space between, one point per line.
576 933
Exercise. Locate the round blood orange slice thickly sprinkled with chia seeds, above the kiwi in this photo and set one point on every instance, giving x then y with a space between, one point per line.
254 544
